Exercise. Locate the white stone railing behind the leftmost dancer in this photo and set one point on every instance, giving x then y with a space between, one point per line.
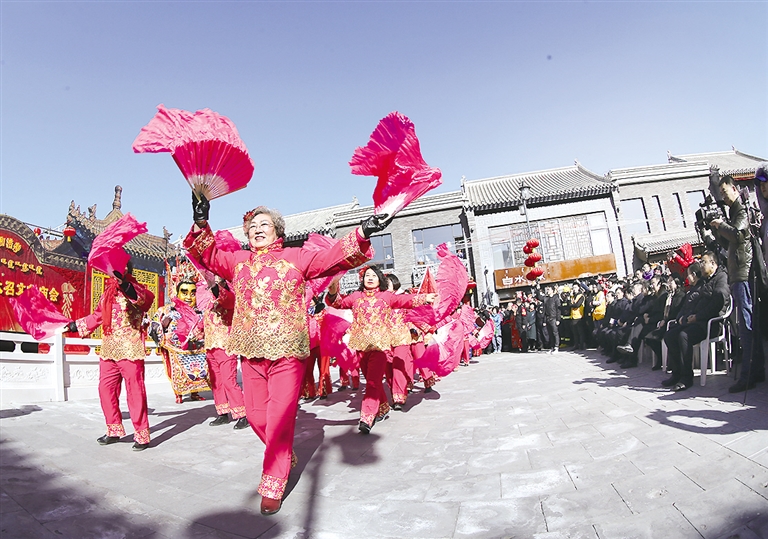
28 377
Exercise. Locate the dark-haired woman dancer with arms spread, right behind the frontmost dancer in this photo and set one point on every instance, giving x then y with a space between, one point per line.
371 334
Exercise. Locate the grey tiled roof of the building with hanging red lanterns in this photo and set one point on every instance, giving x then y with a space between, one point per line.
552 185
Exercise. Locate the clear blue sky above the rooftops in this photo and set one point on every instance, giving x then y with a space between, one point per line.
494 88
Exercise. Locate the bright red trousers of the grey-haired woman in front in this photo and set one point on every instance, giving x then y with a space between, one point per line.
271 390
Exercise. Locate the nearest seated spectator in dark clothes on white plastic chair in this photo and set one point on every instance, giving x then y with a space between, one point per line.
691 326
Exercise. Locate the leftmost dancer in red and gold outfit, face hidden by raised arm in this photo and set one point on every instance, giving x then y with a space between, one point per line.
120 314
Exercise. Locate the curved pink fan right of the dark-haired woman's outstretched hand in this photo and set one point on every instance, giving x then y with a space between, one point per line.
451 283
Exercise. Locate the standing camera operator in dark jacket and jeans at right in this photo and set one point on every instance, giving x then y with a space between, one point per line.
733 235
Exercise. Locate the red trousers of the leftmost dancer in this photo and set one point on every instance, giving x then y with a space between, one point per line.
111 376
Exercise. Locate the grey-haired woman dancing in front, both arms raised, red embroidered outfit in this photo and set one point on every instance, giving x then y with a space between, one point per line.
269 325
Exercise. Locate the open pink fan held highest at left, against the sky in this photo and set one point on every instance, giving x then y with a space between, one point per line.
205 146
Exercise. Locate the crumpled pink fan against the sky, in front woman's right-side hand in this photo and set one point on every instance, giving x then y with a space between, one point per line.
394 157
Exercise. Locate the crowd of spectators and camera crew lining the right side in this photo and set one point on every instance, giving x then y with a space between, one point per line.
670 302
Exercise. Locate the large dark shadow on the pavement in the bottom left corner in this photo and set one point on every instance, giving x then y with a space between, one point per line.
37 503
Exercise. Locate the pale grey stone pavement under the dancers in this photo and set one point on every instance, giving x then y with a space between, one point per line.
524 446
